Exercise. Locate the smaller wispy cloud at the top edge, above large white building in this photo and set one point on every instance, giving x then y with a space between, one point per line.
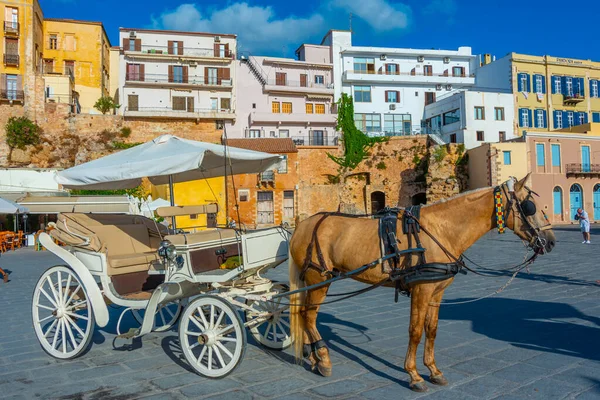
379 14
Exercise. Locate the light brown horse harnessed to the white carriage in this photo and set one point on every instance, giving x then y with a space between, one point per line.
349 243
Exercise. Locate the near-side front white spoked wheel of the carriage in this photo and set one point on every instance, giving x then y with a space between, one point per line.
212 336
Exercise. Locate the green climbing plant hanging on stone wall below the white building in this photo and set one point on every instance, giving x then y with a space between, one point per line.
356 143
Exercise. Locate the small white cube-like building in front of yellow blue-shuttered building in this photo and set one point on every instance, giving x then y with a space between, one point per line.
472 117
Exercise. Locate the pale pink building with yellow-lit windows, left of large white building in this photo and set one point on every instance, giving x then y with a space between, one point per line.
283 97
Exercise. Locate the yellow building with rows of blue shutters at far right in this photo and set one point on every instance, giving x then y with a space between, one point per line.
550 93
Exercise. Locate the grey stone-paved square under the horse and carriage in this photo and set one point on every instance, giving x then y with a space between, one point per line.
540 338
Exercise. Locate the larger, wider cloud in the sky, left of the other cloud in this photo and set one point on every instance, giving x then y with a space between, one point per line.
257 27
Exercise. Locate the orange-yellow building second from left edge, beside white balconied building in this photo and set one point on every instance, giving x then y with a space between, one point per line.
76 63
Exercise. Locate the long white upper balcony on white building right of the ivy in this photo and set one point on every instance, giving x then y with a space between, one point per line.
408 77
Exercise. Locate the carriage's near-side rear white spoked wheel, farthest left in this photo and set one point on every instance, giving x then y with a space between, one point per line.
62 316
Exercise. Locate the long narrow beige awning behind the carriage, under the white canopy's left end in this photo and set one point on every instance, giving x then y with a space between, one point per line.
82 204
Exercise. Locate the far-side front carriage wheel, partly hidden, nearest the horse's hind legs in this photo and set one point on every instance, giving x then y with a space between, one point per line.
274 332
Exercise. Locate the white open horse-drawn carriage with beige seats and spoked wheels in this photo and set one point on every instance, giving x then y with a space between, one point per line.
163 277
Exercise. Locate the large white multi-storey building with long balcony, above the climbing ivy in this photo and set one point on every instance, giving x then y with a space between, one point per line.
392 86
